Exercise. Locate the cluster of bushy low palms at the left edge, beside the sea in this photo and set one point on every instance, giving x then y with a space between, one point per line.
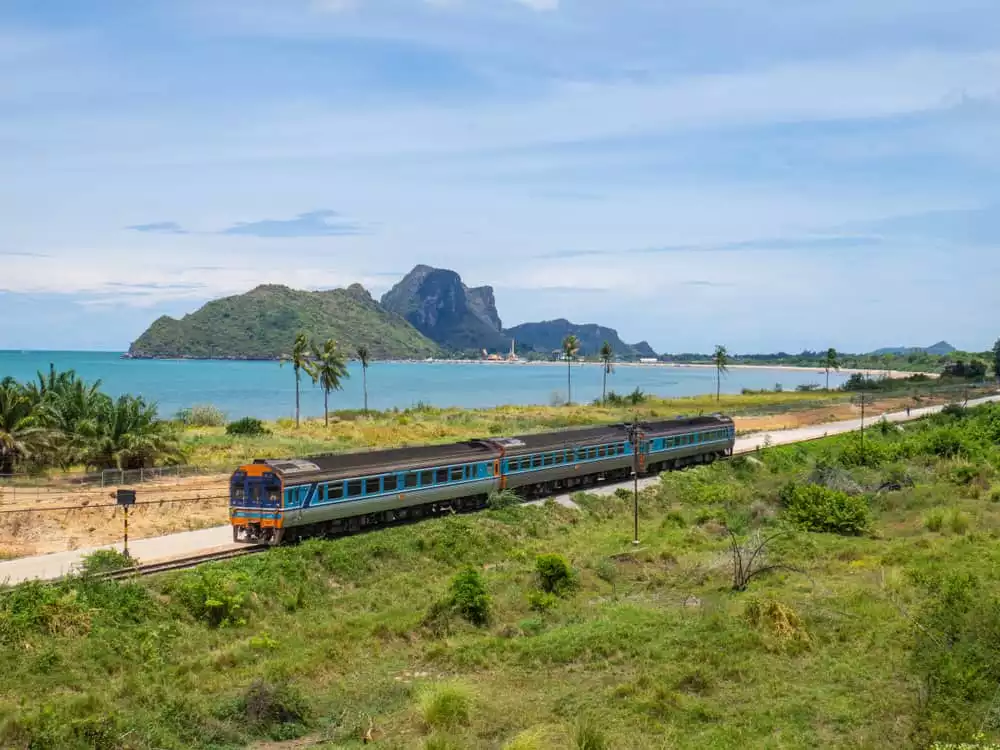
60 420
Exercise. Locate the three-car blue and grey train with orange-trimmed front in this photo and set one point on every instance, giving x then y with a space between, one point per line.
275 501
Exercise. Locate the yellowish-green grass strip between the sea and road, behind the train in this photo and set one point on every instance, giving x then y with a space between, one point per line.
211 446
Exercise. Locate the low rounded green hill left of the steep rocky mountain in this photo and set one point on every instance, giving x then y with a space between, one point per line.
263 323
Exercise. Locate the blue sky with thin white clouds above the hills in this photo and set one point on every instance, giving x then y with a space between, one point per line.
764 174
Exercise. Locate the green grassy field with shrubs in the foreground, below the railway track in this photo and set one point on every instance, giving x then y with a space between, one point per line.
543 627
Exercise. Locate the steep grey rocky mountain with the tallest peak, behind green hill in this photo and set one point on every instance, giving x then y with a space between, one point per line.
441 307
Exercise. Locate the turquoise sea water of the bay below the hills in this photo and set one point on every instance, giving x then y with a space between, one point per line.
267 390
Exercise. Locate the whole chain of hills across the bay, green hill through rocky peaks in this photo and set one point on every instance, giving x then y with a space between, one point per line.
430 313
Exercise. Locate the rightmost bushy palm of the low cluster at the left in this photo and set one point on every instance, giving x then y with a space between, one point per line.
127 434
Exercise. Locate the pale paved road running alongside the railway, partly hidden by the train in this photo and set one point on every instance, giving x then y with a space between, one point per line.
220 537
